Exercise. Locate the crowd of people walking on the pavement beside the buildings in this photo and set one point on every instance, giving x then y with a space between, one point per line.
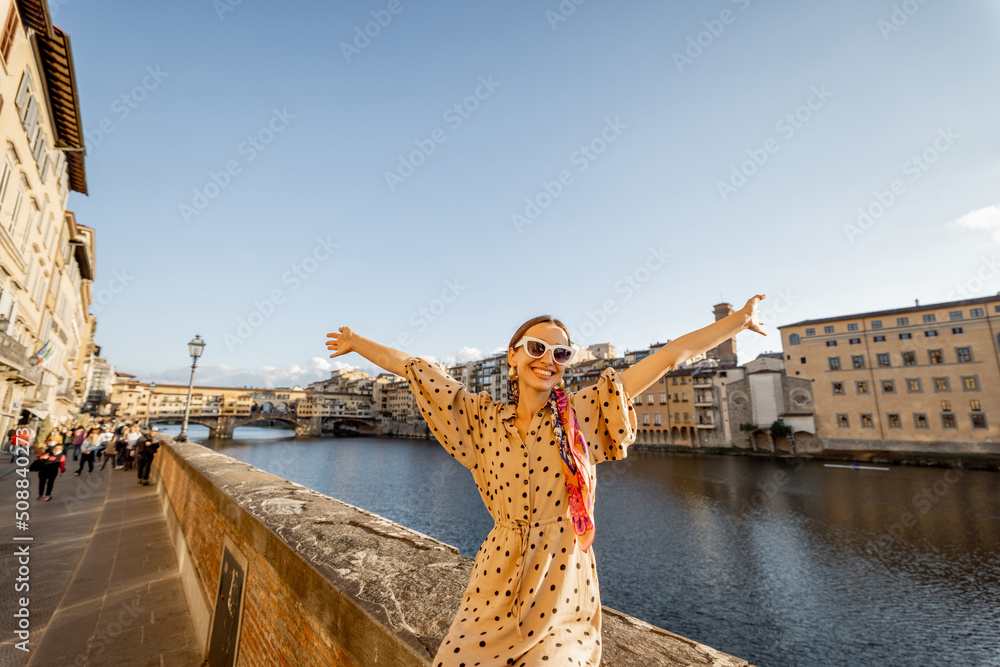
118 441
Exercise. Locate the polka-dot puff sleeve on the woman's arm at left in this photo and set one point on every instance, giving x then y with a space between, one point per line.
452 412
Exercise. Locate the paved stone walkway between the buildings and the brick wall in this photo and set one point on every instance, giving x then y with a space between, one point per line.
105 586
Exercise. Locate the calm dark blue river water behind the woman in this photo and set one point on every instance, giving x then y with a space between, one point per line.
782 563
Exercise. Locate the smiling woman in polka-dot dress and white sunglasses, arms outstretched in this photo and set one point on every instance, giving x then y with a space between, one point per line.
533 598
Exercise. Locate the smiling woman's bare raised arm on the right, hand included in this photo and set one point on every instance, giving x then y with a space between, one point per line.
645 372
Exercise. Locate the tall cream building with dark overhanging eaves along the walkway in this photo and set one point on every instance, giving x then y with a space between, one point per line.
46 258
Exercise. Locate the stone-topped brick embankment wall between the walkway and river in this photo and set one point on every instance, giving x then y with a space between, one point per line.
330 584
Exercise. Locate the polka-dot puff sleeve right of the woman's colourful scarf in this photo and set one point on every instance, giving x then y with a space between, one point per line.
606 416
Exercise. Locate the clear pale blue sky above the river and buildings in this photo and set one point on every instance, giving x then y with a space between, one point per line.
833 100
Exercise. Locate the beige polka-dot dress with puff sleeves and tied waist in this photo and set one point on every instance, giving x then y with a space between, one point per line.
533 597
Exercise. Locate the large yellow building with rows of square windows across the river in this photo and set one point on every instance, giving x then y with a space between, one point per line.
923 378
